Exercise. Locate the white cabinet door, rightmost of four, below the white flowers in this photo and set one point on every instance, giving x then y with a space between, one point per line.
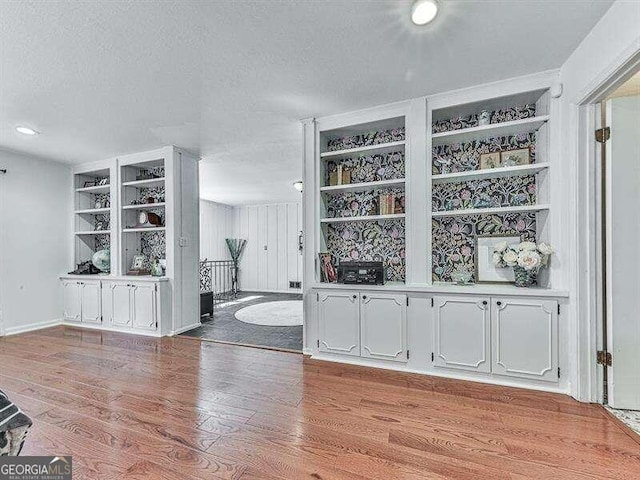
525 338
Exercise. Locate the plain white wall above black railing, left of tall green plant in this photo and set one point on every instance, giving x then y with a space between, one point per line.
216 224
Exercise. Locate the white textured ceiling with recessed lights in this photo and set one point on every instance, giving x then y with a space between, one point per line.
230 80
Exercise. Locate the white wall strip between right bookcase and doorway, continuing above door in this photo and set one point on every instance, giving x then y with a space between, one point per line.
601 53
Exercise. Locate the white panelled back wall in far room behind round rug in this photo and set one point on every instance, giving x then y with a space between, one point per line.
275 227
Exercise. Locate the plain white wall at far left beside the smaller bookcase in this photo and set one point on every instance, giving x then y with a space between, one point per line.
35 239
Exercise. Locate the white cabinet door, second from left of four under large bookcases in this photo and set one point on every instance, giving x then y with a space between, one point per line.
383 326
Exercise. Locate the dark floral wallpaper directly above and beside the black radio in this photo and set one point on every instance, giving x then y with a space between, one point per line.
370 241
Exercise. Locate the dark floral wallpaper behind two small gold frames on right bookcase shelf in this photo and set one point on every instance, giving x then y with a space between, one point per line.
462 157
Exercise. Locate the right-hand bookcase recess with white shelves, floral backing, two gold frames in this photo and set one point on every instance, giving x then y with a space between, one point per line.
468 178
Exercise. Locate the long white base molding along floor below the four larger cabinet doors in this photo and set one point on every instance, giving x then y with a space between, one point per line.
490 380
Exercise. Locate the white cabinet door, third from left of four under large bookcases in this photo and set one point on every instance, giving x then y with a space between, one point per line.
462 333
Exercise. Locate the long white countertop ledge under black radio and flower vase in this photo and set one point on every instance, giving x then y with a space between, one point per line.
448 288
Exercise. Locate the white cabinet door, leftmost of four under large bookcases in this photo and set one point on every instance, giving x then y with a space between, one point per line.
339 322
